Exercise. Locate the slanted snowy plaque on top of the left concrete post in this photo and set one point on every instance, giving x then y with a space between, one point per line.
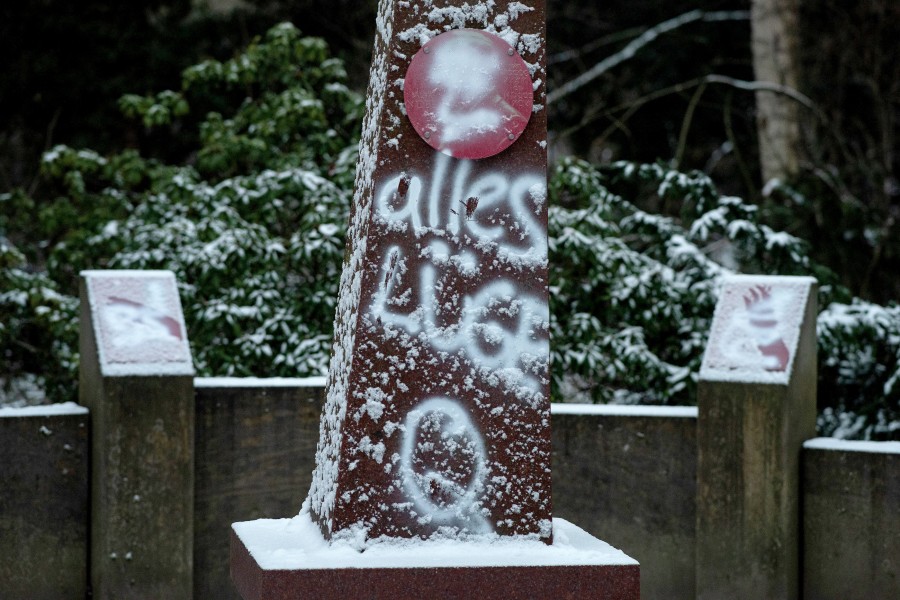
138 323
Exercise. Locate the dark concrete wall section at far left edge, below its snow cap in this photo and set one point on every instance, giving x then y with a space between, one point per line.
44 506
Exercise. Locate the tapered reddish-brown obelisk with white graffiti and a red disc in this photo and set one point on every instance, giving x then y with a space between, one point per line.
437 419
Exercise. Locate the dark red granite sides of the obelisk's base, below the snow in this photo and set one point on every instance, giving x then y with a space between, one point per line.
558 582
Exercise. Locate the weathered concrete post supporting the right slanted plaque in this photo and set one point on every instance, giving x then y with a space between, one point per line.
749 440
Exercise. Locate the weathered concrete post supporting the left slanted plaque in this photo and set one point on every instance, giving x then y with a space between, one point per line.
142 477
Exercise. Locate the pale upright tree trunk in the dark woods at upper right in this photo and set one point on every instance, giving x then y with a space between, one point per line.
774 44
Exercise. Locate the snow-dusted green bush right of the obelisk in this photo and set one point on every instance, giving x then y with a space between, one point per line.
633 293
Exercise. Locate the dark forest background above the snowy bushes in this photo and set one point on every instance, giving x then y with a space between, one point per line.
67 62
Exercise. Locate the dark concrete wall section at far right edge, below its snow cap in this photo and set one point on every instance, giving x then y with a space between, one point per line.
851 525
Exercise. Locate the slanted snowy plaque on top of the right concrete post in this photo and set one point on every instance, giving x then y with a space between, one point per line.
755 329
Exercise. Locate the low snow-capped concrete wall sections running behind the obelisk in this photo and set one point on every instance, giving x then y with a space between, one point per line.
625 474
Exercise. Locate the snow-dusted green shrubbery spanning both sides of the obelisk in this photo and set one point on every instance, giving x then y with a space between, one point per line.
253 226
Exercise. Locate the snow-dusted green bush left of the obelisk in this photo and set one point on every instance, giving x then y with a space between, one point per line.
252 226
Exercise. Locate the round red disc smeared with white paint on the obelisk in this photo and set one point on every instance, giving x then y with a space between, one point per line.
468 93
